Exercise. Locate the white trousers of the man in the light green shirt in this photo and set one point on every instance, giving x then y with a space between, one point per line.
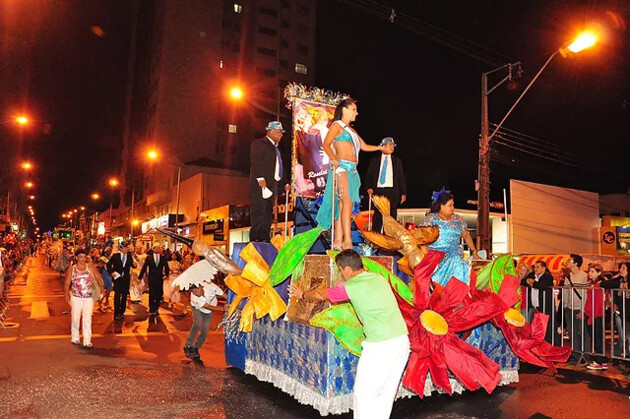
379 372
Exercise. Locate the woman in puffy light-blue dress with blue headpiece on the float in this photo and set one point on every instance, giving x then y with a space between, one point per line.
452 229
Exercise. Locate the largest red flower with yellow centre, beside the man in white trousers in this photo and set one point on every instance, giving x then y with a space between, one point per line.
433 322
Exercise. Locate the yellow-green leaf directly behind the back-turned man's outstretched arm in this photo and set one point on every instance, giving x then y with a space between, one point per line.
341 320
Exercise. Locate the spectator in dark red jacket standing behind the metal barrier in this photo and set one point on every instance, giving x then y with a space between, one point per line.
594 312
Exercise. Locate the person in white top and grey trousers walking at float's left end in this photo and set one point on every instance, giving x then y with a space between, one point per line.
202 300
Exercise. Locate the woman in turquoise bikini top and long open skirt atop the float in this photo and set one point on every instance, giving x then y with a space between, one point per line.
342 145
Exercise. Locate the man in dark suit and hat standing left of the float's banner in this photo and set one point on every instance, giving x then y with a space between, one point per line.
264 181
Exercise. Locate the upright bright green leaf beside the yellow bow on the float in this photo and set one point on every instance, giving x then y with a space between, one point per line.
291 254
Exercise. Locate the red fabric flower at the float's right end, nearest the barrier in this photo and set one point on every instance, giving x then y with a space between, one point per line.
526 340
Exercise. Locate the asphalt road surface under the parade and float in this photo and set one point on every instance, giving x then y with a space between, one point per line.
137 371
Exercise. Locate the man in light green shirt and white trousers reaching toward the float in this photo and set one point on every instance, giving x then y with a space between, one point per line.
386 346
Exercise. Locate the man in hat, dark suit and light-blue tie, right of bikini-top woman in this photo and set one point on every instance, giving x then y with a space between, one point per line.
385 177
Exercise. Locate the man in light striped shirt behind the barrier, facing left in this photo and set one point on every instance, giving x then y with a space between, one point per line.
573 300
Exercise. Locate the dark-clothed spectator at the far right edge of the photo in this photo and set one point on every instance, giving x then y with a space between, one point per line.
615 283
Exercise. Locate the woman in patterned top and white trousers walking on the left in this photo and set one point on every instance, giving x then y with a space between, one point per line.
78 293
